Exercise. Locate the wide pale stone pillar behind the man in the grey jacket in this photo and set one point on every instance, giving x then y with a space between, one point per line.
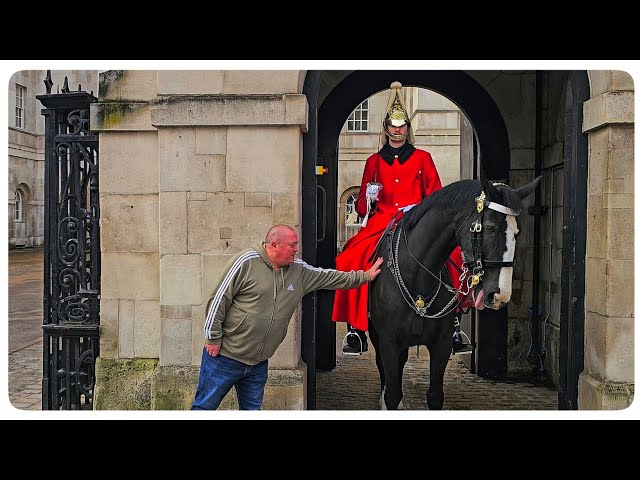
221 164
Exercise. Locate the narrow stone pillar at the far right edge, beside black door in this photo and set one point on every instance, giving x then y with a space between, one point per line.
607 382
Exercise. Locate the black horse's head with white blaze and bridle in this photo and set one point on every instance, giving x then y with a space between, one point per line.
488 241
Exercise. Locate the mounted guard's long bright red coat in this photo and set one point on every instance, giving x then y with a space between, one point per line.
402 184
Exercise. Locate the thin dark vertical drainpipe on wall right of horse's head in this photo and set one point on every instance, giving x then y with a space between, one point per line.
537 210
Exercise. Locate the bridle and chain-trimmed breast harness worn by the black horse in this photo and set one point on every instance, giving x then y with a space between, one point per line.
418 304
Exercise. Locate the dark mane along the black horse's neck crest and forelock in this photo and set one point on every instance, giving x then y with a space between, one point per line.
462 193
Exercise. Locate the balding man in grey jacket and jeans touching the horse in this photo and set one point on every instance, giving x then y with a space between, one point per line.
249 312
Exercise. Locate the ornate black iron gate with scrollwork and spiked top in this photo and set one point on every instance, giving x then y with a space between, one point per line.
72 251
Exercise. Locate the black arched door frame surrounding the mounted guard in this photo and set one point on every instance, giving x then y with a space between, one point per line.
330 103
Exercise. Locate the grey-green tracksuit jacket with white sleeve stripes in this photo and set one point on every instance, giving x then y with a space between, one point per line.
252 304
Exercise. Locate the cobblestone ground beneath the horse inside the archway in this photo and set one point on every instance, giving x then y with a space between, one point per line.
354 385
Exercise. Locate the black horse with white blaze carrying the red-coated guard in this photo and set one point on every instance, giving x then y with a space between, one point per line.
411 302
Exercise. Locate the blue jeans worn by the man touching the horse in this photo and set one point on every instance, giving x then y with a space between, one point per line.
218 374
